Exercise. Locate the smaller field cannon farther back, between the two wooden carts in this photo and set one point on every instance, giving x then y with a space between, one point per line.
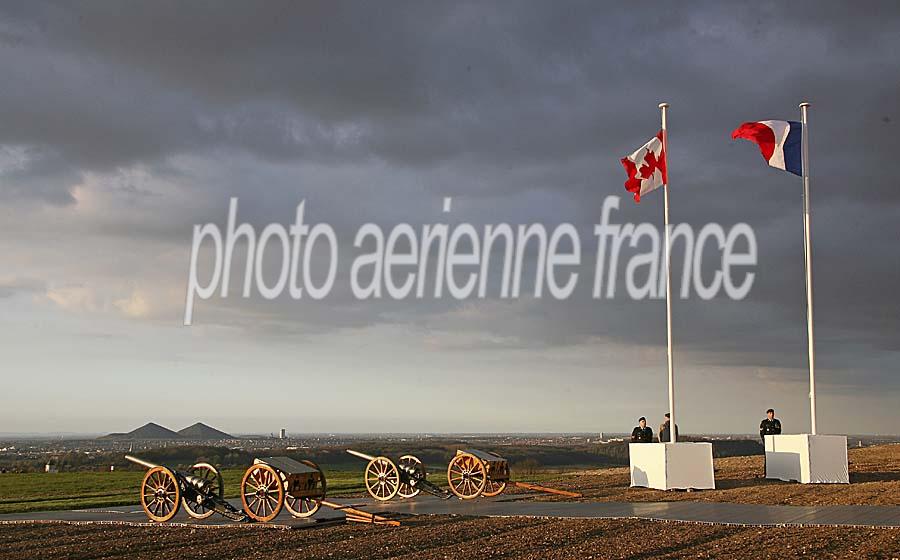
405 478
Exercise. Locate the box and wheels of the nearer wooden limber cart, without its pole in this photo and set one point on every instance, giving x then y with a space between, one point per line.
272 483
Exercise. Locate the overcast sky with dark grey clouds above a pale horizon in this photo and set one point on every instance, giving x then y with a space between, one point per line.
124 124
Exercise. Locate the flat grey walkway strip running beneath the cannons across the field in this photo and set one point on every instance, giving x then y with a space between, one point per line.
519 506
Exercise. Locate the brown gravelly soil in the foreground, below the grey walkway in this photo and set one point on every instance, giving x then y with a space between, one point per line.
451 537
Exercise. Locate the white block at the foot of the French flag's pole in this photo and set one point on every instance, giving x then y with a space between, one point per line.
807 458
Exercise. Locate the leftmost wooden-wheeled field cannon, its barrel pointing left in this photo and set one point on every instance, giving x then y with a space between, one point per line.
200 490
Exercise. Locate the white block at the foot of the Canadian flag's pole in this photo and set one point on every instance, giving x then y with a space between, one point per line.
667 466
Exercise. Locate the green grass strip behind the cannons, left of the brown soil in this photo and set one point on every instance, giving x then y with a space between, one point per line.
83 490
